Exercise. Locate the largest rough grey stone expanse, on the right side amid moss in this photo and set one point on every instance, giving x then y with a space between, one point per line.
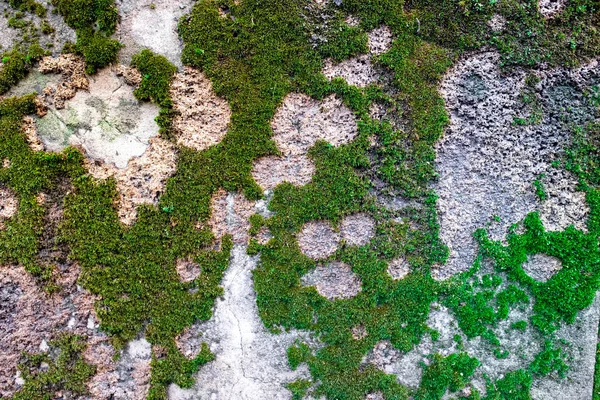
487 164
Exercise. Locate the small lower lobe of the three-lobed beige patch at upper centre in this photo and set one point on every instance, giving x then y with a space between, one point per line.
270 171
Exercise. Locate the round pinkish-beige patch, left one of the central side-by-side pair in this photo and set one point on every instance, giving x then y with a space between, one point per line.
318 240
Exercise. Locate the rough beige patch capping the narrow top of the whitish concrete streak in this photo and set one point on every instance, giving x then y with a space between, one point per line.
230 213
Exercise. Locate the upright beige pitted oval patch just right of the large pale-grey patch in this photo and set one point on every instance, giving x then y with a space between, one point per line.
202 117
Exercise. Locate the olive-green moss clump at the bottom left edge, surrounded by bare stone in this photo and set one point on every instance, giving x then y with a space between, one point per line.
67 371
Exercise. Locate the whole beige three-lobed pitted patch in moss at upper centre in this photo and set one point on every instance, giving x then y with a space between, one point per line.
297 125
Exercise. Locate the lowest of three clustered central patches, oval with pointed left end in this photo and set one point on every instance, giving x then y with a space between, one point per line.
334 281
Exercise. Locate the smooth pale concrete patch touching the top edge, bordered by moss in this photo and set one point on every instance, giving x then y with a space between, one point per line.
151 24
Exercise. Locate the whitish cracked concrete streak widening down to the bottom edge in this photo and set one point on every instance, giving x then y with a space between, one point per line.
251 363
